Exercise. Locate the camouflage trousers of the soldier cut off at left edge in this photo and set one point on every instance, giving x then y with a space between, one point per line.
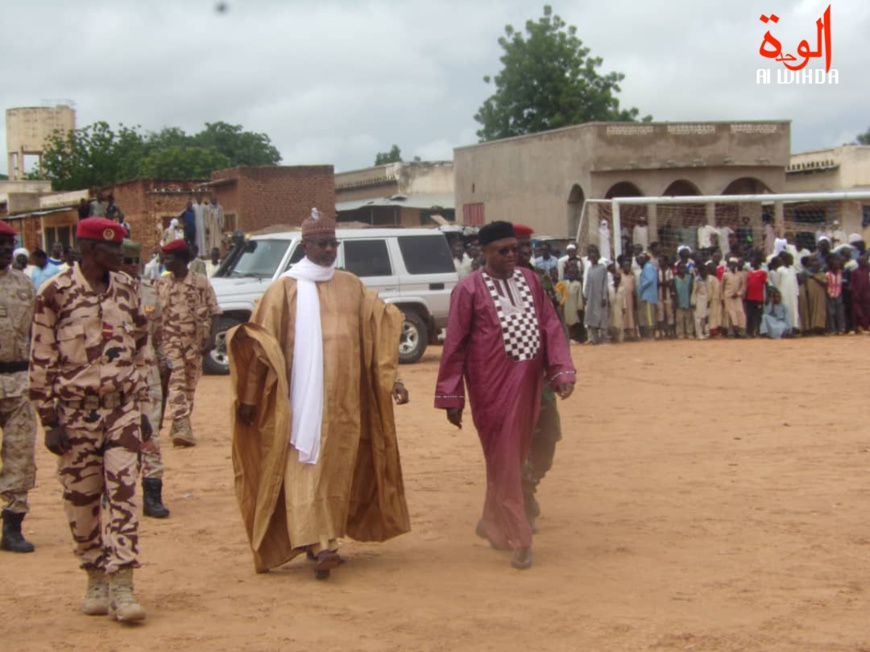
17 456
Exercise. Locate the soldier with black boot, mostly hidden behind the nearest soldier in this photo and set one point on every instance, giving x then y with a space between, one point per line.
158 368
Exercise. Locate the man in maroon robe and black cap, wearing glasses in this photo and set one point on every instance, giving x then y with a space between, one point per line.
503 334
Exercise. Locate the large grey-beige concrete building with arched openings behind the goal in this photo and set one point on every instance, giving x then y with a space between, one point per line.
544 179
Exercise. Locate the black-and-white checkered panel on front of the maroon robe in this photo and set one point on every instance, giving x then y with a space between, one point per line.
515 308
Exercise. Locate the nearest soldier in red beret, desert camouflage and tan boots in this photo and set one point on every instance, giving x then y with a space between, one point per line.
87 380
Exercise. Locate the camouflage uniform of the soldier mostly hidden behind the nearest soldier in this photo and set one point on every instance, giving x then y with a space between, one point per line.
152 461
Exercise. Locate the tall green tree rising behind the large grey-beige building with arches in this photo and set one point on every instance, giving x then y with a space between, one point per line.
547 81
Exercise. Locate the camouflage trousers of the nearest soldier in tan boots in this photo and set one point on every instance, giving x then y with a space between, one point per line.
99 475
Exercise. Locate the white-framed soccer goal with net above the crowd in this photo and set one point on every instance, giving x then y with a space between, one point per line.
708 221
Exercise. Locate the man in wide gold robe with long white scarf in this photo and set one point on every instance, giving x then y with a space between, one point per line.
325 463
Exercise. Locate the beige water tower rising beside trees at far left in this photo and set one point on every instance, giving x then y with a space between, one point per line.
28 130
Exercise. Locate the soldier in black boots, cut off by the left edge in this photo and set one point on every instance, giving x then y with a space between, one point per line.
17 462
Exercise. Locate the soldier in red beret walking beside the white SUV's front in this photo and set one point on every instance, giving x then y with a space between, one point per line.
190 313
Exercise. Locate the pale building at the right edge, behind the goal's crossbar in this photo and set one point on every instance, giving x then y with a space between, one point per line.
837 168
